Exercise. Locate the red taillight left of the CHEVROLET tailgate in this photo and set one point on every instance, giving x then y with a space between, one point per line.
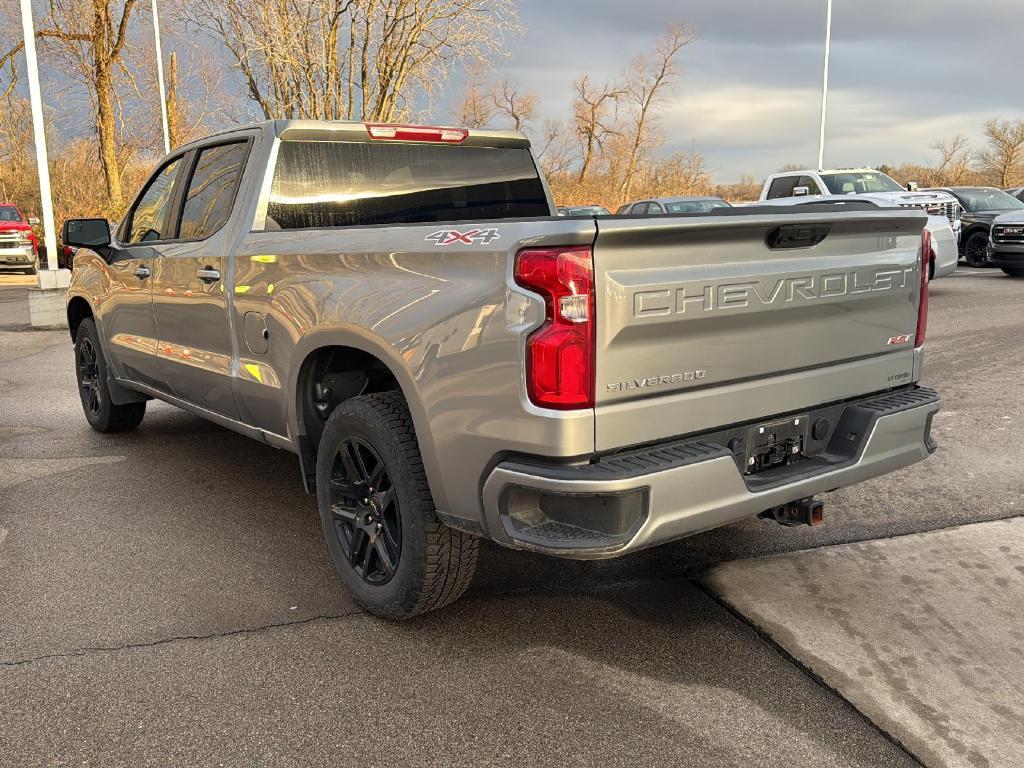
561 354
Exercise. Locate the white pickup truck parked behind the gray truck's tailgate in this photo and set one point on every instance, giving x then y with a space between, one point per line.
871 186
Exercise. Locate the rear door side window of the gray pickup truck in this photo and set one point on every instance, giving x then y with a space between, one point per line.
211 191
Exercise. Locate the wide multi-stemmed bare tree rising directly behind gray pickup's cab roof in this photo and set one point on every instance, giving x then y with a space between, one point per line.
368 60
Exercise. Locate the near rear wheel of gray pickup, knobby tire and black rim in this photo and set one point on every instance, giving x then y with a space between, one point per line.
379 518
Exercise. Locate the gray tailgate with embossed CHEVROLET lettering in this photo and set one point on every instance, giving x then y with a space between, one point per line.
705 322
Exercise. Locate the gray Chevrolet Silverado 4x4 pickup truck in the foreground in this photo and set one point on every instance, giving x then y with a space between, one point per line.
451 361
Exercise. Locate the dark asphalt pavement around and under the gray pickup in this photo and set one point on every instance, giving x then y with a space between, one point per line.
166 600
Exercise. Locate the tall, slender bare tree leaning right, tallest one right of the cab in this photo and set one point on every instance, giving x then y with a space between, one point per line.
645 89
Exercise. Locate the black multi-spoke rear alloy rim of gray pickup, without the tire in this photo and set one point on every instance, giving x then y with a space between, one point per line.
365 507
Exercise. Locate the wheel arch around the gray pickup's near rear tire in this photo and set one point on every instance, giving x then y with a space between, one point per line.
349 349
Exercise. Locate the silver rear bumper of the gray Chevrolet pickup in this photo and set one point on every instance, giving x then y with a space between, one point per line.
638 499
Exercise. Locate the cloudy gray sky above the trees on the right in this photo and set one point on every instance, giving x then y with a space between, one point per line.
904 73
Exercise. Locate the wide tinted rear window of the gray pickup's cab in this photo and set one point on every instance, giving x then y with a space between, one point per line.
339 184
